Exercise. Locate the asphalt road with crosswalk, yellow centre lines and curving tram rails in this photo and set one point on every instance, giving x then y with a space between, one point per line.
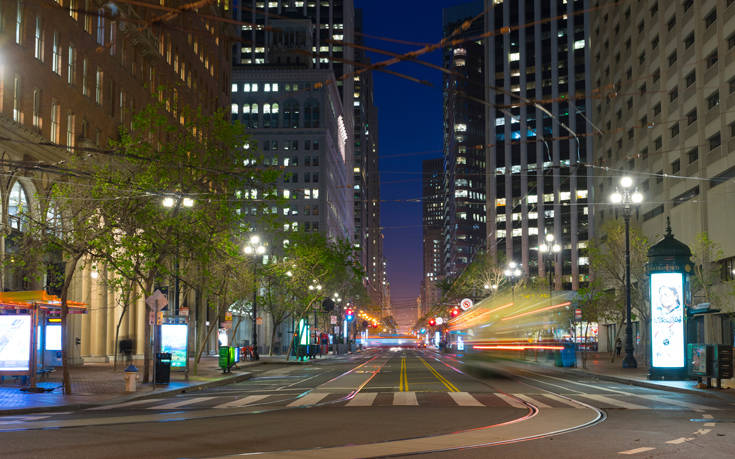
390 402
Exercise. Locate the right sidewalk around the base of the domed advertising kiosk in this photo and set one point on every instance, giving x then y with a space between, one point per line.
599 365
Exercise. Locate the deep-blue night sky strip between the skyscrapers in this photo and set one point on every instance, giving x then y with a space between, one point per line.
410 116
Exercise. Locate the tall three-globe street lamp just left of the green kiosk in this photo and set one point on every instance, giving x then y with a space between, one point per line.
626 196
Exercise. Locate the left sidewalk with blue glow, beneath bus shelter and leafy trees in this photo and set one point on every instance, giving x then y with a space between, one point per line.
96 384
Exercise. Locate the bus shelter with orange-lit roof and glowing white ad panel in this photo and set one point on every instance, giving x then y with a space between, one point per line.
30 332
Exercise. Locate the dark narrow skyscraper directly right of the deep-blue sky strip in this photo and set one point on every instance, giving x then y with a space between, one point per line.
463 233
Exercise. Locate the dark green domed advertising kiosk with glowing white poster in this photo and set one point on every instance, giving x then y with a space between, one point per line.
669 267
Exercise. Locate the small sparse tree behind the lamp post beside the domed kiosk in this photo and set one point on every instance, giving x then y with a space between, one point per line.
607 262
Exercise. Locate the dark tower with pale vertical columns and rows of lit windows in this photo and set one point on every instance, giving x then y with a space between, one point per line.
538 93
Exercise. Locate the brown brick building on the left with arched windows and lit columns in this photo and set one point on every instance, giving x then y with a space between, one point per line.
72 74
